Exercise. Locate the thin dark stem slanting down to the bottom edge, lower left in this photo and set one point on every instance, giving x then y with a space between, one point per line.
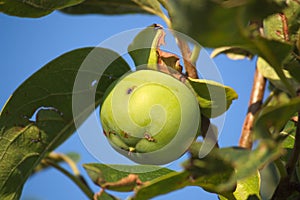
77 180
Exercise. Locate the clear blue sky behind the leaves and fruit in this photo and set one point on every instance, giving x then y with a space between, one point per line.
28 44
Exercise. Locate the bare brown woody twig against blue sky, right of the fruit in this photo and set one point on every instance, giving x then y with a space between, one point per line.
255 102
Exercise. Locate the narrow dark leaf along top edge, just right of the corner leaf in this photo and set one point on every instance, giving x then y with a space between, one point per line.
108 7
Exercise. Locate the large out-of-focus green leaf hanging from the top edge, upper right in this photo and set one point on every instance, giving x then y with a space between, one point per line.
190 17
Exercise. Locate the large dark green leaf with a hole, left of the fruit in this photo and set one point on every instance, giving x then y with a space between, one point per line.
38 116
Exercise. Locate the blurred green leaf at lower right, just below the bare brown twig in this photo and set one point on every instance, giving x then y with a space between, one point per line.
245 162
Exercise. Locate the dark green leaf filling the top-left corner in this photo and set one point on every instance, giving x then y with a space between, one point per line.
34 8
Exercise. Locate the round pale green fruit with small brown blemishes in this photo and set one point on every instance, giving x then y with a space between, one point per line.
150 117
